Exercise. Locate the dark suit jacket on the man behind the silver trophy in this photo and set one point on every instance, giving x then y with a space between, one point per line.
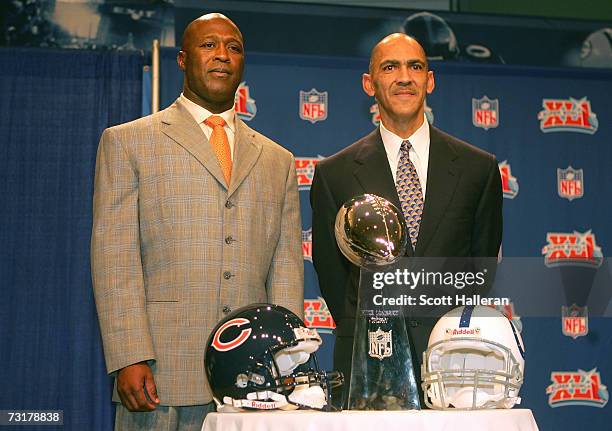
462 217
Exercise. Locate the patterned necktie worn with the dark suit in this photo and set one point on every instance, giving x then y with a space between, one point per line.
410 192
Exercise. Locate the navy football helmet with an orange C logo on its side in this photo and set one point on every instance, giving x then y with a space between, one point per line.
261 357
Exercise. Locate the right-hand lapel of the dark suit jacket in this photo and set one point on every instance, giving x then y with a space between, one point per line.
442 178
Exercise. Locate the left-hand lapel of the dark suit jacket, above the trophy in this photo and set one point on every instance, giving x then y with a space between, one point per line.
373 173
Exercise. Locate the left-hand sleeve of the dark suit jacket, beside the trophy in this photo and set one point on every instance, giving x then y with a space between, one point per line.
331 266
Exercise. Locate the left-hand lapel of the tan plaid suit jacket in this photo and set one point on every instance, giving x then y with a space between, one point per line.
179 125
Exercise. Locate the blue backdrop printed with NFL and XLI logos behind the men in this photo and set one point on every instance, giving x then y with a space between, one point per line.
539 122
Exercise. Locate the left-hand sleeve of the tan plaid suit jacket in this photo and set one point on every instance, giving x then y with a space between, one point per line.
116 260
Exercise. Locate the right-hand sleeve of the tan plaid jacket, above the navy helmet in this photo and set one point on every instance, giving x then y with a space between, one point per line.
285 282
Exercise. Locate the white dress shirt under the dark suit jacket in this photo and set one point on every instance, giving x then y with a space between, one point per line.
419 152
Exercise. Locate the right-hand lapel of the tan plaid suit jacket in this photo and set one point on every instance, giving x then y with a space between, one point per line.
246 152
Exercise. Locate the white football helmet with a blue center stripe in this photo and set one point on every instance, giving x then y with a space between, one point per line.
475 360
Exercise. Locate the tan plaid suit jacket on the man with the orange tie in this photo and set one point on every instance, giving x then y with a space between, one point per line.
173 248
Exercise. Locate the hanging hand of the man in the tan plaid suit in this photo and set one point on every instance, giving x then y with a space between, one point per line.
136 388
